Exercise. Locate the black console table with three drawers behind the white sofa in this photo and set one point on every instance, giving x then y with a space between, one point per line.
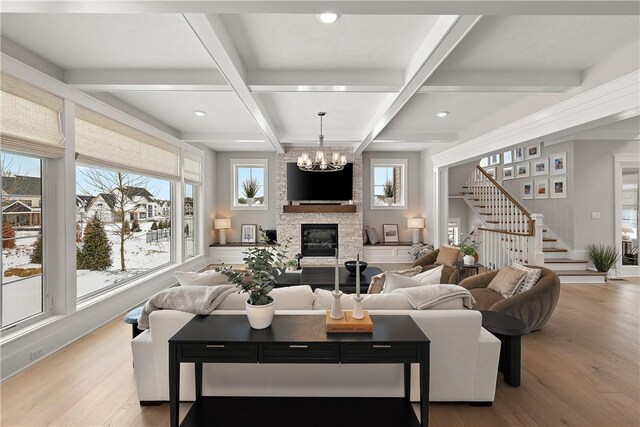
298 339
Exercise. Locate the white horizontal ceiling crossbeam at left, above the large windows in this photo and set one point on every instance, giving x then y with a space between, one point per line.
146 80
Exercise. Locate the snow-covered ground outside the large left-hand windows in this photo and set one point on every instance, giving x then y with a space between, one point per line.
22 297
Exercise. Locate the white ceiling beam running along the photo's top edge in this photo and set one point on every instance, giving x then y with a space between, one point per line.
400 7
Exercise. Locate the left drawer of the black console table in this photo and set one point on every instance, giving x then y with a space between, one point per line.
237 353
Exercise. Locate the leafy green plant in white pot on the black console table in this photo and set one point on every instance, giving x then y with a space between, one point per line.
262 263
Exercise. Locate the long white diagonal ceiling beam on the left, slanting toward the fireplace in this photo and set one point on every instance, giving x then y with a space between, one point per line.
216 40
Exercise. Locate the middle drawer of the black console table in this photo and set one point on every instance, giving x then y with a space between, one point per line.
299 353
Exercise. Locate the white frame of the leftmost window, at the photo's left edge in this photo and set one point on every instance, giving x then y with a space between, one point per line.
46 223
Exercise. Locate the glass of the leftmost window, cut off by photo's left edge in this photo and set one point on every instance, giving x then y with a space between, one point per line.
22 238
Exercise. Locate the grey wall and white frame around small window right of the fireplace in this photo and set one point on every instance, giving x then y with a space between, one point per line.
376 218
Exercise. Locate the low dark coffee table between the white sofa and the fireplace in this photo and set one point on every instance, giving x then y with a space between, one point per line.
324 278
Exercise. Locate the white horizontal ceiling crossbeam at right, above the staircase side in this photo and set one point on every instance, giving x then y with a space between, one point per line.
501 81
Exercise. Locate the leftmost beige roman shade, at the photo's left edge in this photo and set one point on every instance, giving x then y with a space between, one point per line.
30 119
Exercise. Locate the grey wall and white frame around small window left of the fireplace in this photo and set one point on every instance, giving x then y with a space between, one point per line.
222 183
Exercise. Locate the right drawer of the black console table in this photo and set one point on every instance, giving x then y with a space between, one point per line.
379 353
